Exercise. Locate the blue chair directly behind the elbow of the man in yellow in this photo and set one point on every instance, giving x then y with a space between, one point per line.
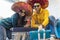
51 24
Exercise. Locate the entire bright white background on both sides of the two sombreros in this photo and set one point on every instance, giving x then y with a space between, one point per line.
5 8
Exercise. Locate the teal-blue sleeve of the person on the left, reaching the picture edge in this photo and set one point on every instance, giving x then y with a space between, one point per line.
8 22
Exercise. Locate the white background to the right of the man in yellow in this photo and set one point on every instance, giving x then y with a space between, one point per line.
54 8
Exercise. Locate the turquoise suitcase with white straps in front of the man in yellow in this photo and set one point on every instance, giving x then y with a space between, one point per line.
34 34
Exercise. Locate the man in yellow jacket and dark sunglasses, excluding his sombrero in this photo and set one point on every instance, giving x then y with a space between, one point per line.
39 17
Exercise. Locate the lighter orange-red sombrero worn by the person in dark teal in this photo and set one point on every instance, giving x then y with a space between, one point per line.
22 6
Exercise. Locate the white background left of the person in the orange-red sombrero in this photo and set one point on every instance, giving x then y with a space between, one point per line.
5 9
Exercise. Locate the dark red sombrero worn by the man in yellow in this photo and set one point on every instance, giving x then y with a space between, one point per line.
44 3
